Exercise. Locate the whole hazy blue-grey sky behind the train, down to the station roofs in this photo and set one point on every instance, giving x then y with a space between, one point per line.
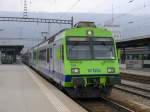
134 17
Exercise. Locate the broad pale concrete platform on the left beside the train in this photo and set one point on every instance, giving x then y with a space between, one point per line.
23 90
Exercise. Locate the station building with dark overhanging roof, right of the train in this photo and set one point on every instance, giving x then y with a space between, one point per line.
135 52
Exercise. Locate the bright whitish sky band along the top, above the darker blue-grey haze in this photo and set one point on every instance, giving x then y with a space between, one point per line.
93 6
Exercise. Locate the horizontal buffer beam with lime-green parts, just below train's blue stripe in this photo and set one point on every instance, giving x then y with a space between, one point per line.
93 80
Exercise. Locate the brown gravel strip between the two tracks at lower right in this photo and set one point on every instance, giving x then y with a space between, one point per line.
131 100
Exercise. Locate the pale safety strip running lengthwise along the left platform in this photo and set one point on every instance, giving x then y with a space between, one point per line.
51 97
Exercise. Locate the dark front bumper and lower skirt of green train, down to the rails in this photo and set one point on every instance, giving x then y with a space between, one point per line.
91 87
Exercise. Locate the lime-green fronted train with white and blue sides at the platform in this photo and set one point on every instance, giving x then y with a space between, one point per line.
82 60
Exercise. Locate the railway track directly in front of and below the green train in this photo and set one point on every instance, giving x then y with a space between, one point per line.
102 105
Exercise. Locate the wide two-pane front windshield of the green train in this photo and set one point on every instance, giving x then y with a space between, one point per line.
90 48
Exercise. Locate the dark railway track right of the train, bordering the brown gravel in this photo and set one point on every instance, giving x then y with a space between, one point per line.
134 90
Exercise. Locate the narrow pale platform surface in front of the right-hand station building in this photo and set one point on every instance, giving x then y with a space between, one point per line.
142 72
